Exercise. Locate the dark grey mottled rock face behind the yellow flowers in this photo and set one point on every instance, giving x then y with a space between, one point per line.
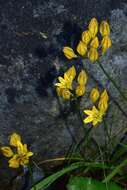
32 34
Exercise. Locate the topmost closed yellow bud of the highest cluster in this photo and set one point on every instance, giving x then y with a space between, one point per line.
93 27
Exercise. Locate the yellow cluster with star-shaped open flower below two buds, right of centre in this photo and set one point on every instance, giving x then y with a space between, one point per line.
95 115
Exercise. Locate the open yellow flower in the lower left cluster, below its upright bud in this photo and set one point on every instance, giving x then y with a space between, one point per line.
22 156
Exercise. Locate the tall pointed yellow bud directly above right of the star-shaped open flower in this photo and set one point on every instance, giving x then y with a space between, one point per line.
103 102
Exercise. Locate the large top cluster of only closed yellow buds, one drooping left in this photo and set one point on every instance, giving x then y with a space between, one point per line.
90 46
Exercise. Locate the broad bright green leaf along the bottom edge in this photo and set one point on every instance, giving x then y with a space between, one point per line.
85 183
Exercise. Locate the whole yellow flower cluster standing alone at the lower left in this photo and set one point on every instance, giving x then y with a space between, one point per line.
21 157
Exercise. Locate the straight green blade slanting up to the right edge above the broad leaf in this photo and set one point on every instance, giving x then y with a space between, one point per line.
115 171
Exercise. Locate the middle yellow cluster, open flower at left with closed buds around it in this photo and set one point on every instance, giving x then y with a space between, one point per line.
65 87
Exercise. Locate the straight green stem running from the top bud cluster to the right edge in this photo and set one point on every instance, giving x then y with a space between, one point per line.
112 81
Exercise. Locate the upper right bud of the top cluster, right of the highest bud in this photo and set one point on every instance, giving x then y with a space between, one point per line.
104 28
